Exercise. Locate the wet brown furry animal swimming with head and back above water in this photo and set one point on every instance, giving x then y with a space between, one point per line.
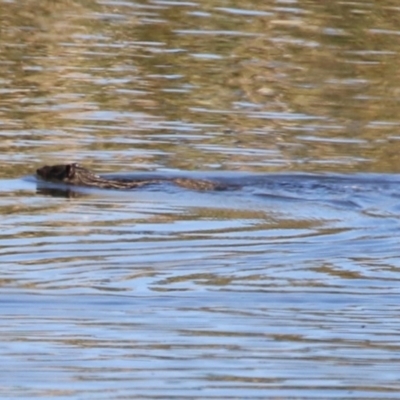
74 174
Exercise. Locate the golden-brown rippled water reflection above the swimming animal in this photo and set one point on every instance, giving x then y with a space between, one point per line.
250 86
